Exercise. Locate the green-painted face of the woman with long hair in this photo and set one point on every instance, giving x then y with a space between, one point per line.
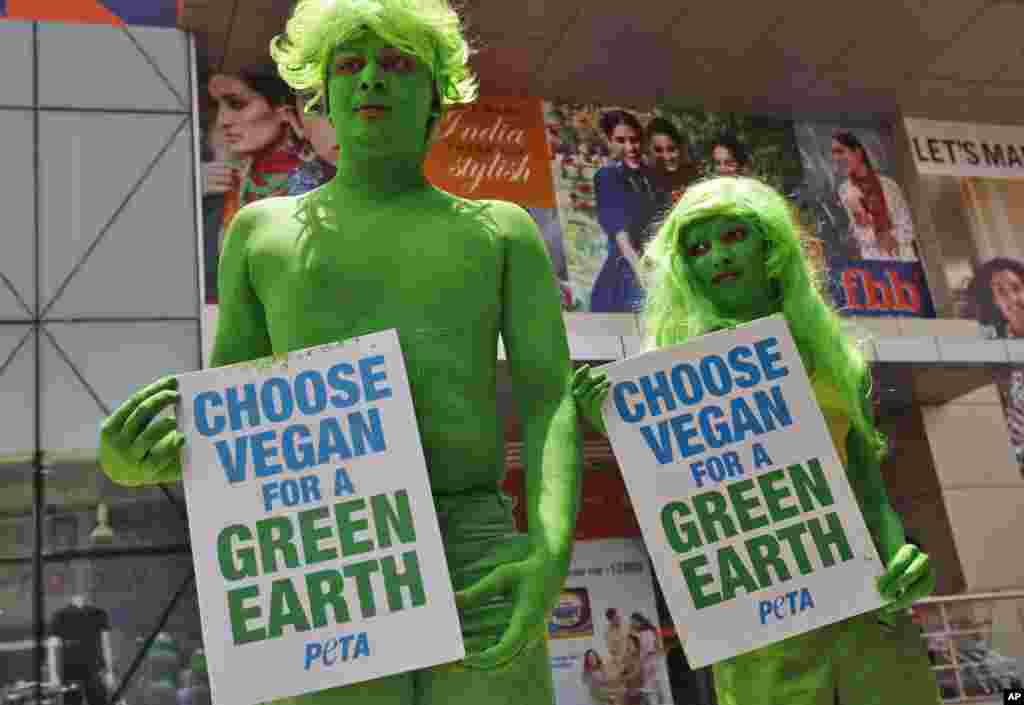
727 257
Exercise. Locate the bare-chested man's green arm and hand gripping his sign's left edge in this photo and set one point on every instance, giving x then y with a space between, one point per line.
139 449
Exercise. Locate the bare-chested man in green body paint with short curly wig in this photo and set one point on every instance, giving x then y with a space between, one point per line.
377 248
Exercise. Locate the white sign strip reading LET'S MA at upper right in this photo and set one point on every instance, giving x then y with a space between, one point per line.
960 149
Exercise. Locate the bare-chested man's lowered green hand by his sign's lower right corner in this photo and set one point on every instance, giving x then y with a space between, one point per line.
535 585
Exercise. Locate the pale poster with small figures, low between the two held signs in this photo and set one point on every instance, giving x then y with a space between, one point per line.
605 643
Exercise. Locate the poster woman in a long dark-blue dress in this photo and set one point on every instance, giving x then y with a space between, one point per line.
625 194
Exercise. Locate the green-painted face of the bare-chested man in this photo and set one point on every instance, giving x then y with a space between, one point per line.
380 98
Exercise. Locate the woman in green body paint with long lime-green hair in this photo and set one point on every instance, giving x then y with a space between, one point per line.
729 254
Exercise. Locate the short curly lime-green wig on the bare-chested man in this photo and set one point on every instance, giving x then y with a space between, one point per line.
430 30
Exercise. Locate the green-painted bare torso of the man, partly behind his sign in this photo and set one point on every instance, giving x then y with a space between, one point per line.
432 268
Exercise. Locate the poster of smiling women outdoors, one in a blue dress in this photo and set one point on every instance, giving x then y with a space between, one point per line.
618 172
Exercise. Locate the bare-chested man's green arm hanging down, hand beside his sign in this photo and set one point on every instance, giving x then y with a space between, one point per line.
534 334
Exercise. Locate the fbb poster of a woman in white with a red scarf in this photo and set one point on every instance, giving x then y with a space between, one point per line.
861 215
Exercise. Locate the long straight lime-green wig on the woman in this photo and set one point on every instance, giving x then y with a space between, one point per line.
676 311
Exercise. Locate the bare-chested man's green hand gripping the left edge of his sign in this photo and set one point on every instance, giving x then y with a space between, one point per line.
135 450
